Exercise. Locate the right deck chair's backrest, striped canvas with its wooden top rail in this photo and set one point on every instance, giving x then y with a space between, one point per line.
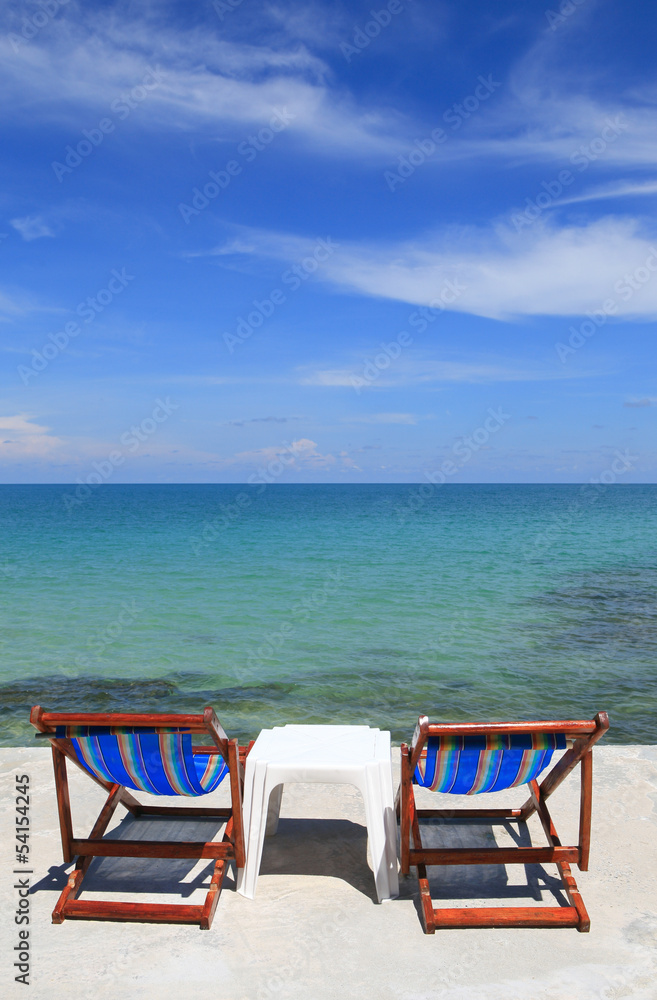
468 759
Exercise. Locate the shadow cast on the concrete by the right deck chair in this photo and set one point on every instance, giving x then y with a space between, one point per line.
487 882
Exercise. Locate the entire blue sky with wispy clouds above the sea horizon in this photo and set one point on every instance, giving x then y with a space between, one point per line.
333 246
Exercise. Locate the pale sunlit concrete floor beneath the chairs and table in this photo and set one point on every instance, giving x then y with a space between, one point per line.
315 930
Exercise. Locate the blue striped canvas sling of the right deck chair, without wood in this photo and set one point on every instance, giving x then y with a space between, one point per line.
469 764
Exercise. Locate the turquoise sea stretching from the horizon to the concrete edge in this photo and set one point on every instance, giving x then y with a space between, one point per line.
349 604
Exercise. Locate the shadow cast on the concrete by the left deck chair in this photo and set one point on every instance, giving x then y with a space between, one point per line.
146 875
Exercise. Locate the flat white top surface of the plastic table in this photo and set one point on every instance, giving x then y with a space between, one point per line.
318 746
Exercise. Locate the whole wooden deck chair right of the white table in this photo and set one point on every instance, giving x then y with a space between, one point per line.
467 759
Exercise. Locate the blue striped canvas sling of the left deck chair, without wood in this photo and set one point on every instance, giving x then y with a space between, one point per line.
161 763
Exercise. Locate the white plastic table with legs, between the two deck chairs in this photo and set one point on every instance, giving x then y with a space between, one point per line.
354 755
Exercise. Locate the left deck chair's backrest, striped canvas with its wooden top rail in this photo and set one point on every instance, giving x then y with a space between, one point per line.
149 753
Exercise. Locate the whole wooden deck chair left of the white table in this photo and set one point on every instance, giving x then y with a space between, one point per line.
149 753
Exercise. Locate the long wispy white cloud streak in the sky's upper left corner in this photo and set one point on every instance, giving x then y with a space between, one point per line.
204 81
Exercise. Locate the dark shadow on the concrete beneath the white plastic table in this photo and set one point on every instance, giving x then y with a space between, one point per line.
335 848
